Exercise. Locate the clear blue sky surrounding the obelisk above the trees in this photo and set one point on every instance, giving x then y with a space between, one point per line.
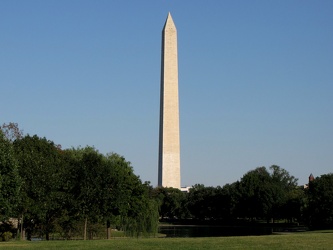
255 81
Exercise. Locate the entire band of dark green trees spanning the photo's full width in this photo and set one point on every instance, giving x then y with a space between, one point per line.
68 191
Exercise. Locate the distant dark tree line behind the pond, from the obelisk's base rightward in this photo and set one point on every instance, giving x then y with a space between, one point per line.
261 196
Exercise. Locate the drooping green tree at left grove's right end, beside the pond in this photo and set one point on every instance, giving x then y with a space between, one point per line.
137 210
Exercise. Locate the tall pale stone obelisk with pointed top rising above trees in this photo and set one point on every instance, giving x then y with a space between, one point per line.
169 143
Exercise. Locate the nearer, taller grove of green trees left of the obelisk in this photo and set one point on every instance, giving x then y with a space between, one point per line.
62 187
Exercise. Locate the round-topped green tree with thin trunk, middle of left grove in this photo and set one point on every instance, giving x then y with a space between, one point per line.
91 184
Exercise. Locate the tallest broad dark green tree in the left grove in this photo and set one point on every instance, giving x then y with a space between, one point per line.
42 169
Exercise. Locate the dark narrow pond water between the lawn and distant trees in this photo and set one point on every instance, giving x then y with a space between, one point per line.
211 231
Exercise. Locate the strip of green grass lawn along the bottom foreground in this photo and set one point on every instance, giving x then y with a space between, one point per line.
308 240
